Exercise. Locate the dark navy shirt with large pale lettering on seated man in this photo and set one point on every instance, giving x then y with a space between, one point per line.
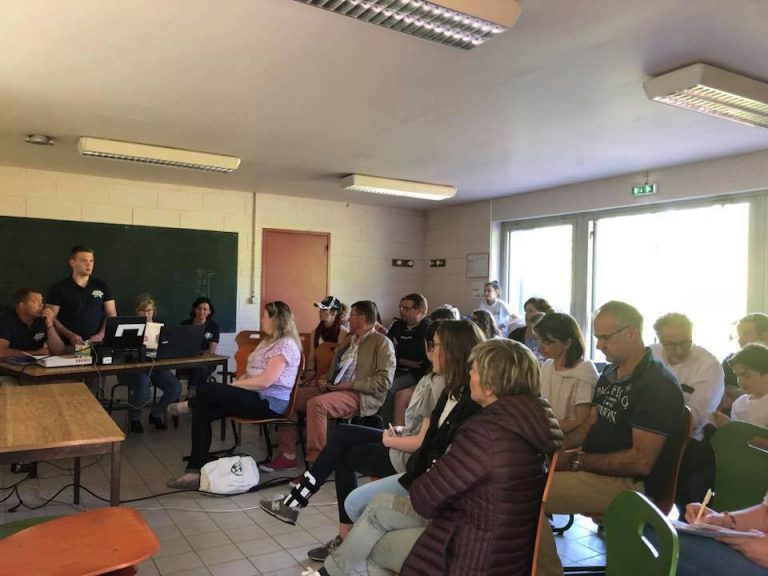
649 399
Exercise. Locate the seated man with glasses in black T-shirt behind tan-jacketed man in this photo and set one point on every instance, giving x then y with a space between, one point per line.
407 334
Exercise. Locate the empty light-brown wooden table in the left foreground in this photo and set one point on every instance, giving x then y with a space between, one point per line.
54 421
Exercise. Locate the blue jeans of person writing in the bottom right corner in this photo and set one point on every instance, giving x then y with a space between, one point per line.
706 556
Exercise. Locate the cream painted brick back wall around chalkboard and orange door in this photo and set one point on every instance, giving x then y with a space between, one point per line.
364 239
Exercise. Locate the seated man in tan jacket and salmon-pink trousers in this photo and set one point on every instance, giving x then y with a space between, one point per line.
357 384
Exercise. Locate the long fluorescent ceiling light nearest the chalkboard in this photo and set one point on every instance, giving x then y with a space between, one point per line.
132 152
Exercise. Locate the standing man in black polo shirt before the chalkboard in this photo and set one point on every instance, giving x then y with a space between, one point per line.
80 302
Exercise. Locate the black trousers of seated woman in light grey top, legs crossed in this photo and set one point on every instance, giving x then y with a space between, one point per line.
351 450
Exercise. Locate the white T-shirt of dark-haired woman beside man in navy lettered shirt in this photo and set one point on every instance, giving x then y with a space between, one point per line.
566 389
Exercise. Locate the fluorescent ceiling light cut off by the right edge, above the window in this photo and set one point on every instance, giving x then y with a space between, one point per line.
710 90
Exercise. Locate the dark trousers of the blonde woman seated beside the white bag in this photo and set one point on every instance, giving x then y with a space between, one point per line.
214 401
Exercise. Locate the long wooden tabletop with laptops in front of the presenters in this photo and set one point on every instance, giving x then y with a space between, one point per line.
34 374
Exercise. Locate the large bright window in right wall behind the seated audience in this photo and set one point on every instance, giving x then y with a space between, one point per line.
692 259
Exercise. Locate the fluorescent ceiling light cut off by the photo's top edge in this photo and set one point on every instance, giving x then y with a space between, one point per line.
460 23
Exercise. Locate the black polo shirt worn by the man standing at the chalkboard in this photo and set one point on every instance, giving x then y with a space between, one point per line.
81 308
